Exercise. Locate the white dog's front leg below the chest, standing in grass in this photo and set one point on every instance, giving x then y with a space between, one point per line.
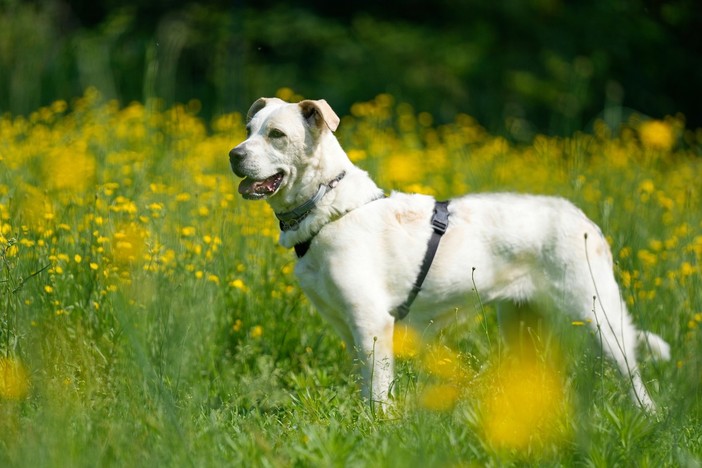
373 338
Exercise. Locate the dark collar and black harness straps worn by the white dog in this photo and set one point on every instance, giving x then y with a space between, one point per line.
290 221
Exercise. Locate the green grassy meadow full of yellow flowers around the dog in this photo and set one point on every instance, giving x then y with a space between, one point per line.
148 317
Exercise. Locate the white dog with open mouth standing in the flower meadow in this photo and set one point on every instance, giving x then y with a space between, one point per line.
363 255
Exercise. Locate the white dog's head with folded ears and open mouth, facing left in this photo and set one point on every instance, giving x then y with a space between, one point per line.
281 141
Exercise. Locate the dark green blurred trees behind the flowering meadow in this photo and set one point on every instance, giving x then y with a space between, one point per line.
520 67
